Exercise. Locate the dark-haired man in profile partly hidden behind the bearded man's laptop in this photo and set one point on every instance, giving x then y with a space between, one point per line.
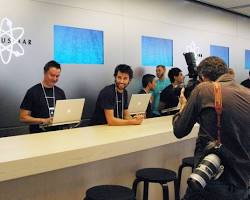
148 84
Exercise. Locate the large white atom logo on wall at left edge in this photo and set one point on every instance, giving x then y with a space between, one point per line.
10 40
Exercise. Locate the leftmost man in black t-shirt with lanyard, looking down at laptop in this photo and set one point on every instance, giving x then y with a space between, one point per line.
38 105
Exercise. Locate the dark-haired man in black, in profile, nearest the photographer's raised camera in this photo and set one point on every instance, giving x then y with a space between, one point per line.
170 95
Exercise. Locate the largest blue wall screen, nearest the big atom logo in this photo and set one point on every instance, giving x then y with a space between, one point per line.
78 45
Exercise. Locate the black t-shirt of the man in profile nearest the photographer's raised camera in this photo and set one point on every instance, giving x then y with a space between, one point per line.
170 96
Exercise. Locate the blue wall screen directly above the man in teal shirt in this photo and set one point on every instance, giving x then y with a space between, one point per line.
156 51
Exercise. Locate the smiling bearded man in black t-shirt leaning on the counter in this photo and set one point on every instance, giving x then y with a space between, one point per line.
112 102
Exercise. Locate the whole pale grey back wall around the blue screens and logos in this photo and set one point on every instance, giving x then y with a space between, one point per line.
123 23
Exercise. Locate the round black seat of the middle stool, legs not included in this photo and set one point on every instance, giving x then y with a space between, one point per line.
156 175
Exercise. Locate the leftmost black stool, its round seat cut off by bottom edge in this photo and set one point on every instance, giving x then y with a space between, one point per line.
109 192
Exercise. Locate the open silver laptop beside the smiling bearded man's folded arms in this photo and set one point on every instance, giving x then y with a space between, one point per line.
138 103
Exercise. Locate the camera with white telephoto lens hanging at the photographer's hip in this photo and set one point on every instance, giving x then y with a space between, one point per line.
210 167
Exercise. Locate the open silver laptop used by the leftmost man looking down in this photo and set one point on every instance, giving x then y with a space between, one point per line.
68 111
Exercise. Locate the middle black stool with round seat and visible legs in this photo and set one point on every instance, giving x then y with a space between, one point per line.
156 175
